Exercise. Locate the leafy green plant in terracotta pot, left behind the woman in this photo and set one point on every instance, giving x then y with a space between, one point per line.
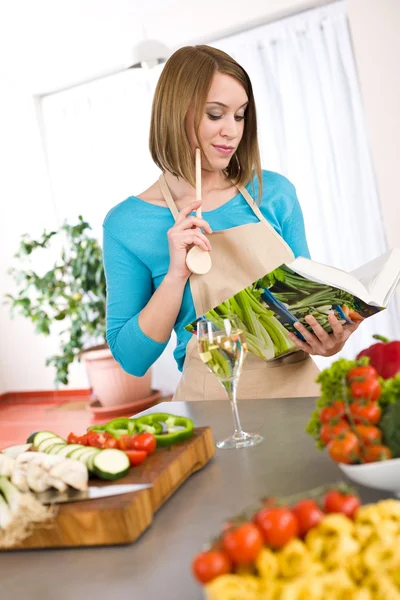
69 298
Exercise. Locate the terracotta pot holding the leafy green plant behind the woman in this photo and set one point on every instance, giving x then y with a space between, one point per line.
110 383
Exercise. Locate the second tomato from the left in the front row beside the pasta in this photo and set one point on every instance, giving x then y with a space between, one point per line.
243 544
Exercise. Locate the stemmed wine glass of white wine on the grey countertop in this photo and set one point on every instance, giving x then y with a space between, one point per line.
223 348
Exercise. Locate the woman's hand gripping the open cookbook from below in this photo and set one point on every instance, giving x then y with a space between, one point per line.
320 342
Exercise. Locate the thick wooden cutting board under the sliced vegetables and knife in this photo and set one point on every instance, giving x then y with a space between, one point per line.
122 519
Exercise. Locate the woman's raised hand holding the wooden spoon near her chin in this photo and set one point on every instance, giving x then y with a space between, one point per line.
182 236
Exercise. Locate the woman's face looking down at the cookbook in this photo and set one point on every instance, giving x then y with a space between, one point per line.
222 125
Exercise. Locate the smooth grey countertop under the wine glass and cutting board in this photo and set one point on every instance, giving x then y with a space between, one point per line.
158 564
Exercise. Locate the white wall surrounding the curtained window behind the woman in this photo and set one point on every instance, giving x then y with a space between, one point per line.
102 42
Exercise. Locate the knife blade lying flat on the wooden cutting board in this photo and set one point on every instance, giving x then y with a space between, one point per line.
92 493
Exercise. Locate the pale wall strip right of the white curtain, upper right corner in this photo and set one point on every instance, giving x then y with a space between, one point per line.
375 28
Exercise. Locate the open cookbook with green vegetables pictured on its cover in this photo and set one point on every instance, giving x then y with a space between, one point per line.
268 308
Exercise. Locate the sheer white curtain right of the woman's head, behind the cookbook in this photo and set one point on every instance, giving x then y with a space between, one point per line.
312 130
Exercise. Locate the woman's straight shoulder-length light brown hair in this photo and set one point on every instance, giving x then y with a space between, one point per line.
184 83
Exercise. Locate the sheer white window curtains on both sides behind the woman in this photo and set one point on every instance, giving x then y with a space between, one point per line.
311 129
